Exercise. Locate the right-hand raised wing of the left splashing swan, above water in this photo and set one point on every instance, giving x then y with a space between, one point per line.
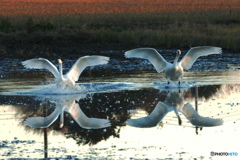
83 62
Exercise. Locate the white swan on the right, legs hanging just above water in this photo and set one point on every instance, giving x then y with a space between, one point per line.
173 72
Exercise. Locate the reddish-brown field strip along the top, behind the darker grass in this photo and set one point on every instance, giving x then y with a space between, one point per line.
73 7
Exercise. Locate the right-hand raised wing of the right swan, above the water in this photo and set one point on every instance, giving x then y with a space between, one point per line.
195 52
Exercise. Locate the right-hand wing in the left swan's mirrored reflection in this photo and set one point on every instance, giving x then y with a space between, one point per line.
86 122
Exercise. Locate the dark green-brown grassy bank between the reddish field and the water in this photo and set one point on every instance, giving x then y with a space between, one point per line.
45 35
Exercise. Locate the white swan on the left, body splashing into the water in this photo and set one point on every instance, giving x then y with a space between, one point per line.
73 74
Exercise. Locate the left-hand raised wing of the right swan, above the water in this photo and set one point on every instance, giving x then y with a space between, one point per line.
150 54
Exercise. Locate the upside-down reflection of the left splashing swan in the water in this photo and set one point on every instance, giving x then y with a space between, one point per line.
67 104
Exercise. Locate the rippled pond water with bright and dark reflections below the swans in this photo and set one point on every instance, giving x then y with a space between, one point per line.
121 112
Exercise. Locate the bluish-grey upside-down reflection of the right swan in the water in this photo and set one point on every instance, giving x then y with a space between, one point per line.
174 102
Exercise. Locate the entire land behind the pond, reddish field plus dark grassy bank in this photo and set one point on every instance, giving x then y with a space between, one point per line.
71 27
